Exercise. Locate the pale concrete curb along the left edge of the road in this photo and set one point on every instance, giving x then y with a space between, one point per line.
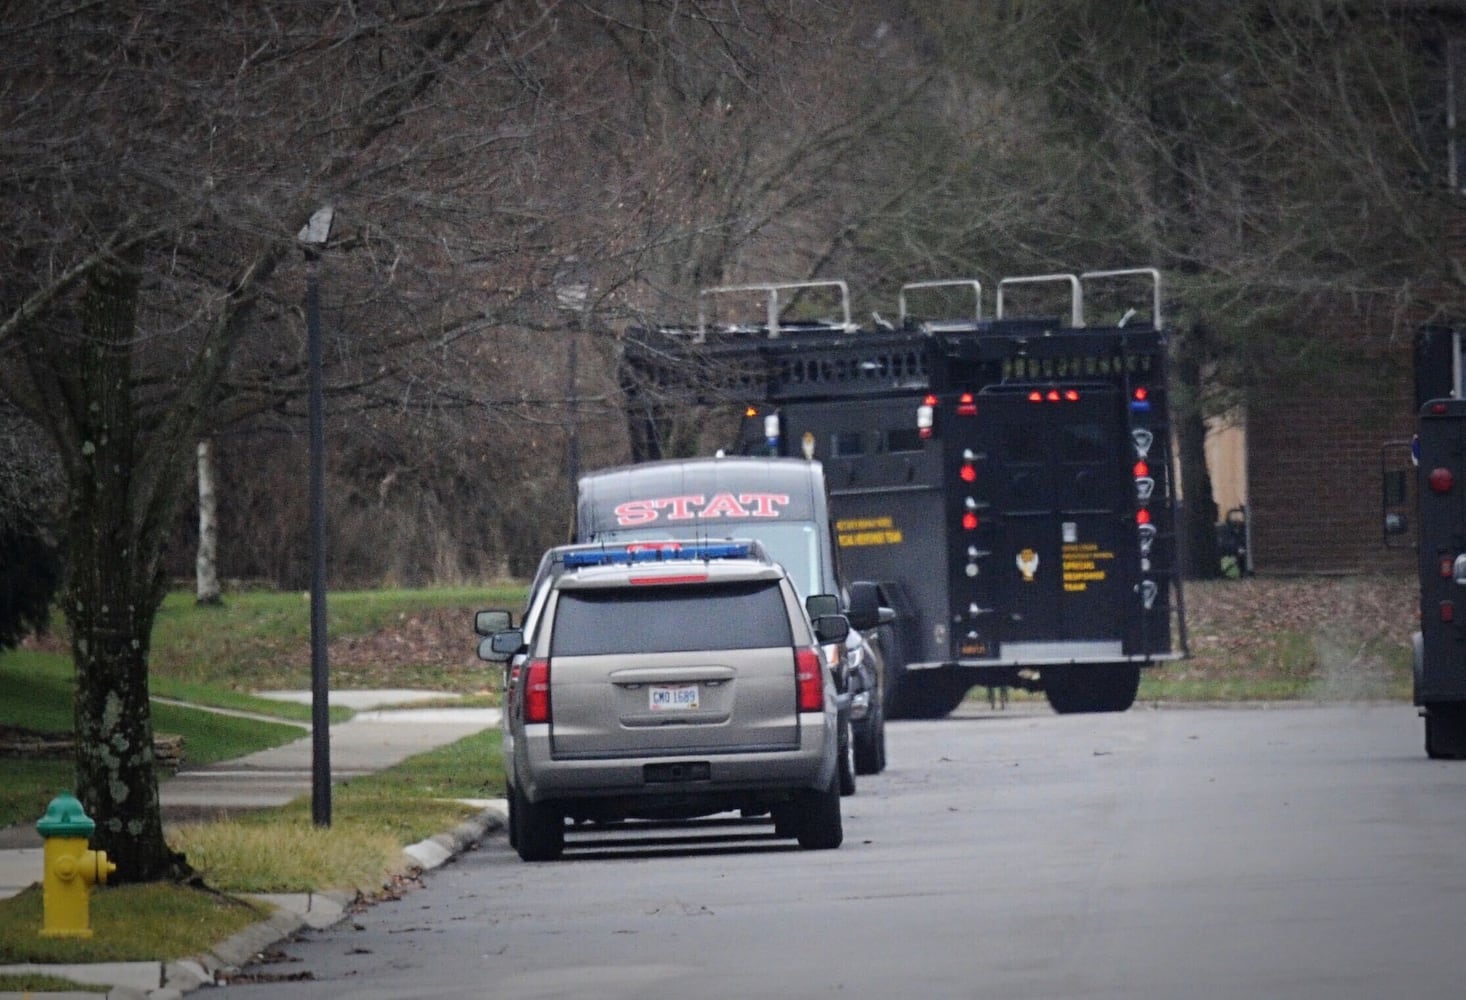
294 913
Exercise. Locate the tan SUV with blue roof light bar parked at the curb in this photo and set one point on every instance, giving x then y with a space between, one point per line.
663 683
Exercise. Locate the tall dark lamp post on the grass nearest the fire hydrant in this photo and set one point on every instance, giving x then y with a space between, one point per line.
313 240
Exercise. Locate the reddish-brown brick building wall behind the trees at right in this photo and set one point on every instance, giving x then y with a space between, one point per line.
1314 466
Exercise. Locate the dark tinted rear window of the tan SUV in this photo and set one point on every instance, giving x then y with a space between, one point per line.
671 620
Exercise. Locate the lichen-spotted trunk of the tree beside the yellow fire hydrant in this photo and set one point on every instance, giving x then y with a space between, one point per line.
114 593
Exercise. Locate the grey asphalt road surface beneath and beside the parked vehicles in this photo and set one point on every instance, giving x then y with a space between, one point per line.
1266 853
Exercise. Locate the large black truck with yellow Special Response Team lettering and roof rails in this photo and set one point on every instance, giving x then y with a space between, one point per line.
1008 482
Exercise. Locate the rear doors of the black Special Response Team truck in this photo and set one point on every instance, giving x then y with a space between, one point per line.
1043 559
